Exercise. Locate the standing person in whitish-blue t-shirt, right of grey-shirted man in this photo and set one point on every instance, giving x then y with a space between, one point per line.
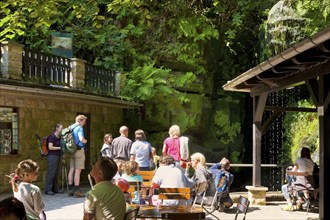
141 151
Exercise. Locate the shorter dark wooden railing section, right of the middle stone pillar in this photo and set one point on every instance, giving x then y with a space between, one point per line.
100 80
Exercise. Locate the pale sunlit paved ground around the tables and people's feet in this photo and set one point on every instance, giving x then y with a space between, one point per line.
60 206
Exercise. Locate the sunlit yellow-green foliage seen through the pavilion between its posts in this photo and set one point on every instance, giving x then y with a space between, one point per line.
301 129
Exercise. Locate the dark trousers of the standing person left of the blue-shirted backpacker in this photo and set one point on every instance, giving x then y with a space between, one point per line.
52 172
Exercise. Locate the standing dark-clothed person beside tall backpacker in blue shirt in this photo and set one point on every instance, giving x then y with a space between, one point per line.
53 160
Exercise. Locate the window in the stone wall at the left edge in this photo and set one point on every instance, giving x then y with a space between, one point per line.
8 130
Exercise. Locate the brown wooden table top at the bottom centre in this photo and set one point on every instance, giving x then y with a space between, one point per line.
149 211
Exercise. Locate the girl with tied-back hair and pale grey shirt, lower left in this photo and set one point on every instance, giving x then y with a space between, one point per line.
26 192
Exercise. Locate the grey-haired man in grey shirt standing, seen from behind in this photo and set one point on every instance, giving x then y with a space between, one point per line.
122 145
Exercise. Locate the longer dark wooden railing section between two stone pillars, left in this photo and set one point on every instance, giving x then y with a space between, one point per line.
46 68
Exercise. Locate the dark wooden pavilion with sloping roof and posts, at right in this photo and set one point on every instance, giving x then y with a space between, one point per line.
307 63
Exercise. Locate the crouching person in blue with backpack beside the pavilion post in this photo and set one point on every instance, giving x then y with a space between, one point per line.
220 170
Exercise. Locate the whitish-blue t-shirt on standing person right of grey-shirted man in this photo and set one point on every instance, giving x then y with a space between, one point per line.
142 151
